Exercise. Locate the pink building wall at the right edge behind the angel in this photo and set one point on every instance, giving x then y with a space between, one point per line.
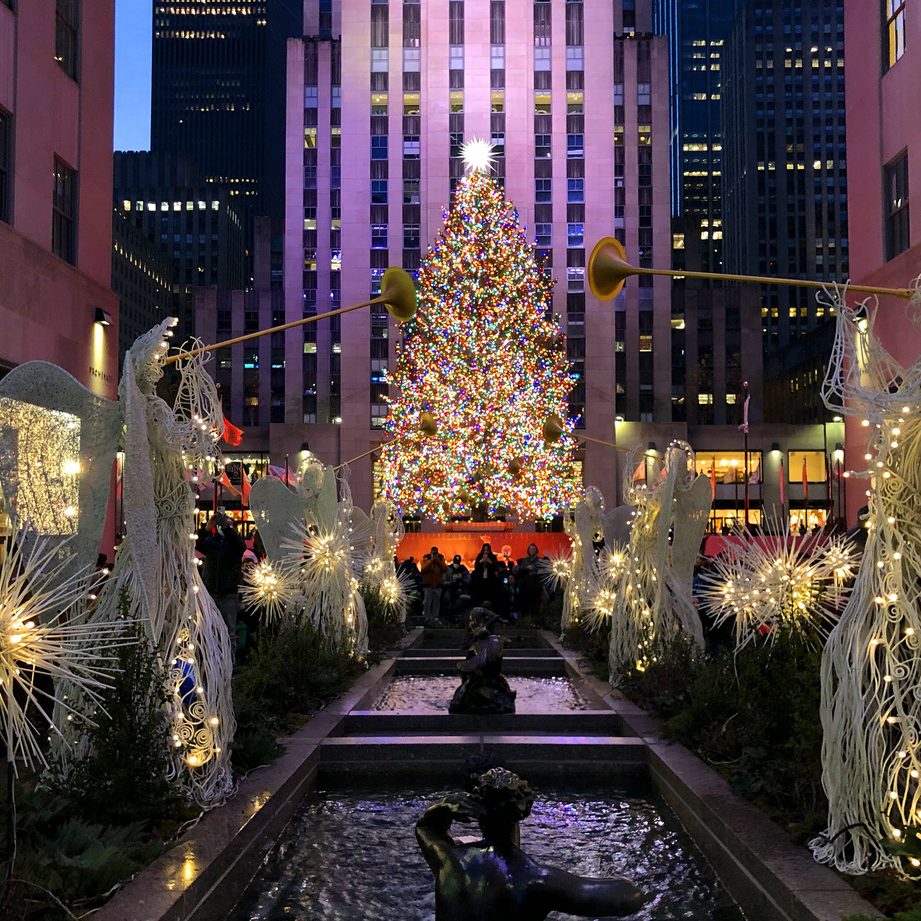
883 54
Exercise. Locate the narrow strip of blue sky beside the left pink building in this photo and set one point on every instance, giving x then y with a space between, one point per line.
133 21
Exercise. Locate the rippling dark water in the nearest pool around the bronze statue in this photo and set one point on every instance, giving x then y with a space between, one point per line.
353 857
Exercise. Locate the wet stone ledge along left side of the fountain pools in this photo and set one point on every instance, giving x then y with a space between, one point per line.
201 877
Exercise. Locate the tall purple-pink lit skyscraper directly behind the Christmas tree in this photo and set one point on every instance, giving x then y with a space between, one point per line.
381 95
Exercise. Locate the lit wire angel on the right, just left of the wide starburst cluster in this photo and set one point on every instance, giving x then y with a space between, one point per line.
654 600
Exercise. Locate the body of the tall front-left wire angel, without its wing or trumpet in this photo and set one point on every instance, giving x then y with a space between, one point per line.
155 567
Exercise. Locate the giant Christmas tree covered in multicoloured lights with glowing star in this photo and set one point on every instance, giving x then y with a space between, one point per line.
484 357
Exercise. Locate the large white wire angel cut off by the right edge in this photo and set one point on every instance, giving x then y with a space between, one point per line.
871 665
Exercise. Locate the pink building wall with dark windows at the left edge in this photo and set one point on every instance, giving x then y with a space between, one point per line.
56 110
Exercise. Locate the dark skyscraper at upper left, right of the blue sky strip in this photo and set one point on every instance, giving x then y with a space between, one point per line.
218 90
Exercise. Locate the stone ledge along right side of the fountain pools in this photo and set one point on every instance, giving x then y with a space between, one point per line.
770 878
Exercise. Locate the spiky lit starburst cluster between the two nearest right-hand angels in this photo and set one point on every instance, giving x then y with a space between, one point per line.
782 583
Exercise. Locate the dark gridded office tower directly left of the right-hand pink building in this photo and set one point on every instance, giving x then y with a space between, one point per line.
785 191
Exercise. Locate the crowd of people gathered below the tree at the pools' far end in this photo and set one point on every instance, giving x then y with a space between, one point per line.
446 591
